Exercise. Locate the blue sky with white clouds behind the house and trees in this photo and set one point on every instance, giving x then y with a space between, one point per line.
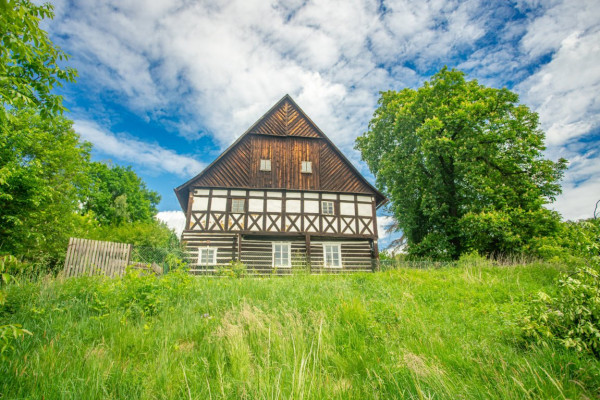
165 86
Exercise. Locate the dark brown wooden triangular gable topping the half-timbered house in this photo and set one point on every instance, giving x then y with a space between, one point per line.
286 136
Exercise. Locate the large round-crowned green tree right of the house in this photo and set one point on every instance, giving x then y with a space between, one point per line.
462 165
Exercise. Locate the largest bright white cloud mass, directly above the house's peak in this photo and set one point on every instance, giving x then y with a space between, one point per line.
219 66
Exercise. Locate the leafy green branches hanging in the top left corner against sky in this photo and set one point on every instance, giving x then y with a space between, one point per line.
29 61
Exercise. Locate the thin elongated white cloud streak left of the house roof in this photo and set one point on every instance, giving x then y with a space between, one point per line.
137 152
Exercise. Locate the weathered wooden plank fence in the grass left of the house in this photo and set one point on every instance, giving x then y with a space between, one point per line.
93 257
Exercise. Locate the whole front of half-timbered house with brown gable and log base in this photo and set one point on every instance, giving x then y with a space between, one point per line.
281 196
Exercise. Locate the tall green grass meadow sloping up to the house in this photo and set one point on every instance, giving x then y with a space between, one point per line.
446 333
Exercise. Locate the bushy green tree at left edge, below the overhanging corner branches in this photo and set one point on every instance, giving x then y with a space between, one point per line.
43 171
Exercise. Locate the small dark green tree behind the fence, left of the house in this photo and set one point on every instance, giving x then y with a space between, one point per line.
117 195
